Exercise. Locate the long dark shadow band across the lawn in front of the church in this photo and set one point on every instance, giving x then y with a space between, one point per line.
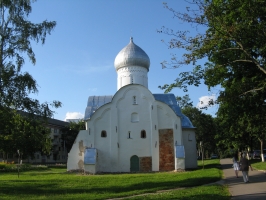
46 187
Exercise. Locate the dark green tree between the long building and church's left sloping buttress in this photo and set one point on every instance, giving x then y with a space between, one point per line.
69 133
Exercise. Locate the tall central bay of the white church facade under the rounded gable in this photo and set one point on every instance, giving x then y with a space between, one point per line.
135 145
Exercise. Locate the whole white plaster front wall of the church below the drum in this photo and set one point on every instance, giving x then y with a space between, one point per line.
115 151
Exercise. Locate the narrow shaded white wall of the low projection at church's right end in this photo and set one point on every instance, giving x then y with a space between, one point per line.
189 140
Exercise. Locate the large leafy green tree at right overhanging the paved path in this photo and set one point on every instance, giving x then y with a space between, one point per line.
233 41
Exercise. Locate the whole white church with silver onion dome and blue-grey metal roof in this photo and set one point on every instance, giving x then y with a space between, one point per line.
133 130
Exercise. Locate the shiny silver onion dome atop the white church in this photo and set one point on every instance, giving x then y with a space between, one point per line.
132 55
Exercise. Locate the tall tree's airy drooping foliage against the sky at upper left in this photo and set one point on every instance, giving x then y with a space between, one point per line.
16 36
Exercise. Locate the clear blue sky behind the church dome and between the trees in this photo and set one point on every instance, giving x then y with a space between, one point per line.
77 59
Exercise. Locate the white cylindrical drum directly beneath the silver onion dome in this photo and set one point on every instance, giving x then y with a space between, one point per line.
125 74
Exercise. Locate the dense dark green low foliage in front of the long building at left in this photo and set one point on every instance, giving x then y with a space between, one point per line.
19 132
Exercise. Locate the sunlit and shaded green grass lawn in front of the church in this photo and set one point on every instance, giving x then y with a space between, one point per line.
56 183
